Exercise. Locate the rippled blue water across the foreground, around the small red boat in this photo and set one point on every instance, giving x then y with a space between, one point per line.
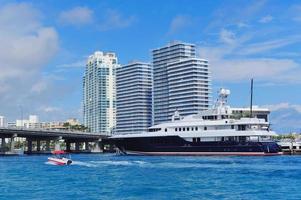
108 176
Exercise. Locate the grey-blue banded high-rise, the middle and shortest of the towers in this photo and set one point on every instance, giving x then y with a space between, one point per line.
134 98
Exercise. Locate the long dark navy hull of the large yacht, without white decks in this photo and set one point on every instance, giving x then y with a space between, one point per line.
177 146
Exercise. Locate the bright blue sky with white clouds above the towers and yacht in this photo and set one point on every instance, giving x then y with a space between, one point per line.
44 46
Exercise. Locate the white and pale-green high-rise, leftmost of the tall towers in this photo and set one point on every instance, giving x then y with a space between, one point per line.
99 92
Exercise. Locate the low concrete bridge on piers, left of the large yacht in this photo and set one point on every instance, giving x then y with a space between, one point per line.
38 136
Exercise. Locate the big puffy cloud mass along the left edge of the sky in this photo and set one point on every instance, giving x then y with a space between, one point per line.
26 48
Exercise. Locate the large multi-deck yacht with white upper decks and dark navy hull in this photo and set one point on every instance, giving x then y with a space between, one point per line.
216 131
